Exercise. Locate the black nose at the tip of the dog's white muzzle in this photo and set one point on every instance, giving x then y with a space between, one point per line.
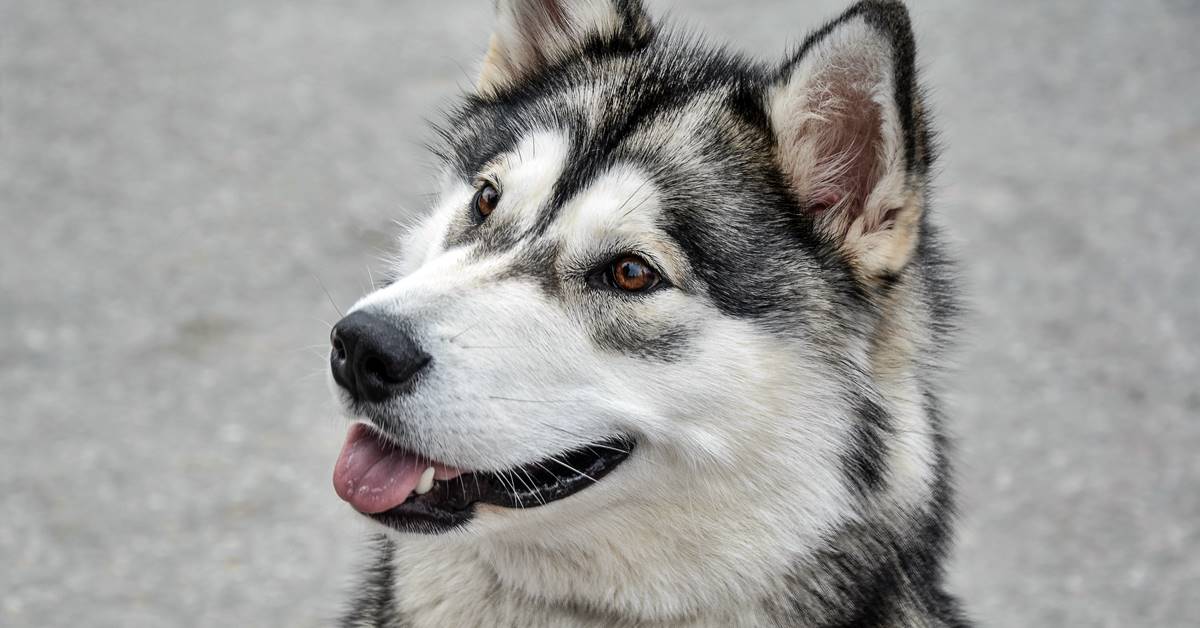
374 360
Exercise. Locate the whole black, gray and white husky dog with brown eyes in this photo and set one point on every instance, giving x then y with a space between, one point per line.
667 351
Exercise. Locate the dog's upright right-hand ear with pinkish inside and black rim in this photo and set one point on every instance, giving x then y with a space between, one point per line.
851 137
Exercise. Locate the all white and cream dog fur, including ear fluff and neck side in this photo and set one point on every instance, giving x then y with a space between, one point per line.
739 473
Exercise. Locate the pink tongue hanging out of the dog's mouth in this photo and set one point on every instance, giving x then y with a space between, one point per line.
374 476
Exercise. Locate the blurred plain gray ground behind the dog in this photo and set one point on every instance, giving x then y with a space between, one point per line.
176 177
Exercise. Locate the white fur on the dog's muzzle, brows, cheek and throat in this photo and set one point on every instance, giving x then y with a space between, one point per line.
737 465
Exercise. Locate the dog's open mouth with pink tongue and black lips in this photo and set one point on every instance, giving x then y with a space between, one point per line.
412 494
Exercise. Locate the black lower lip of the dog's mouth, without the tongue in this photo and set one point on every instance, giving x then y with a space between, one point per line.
452 504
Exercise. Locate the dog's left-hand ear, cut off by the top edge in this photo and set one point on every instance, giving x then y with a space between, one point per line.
532 35
